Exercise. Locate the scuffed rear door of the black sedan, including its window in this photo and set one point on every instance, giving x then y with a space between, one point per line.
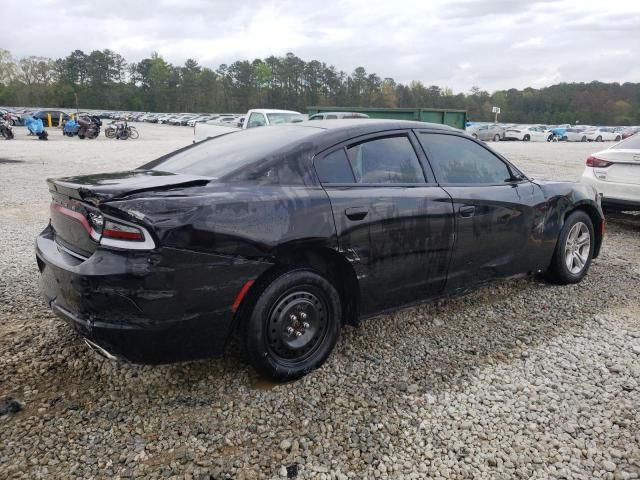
394 224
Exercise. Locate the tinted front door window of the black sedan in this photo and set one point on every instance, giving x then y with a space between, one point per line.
460 160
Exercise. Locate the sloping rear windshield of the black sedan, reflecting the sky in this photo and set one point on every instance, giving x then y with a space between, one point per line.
222 155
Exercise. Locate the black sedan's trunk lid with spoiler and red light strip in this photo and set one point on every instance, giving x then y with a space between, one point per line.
75 207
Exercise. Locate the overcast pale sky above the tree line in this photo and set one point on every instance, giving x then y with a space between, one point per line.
454 43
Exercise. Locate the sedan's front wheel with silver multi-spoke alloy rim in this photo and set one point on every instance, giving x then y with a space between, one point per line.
574 250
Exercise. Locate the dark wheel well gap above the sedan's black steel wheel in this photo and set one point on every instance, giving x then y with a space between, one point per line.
335 267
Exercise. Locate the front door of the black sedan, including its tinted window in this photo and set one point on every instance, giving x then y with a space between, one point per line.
497 217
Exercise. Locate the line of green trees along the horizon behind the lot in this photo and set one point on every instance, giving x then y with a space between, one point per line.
105 80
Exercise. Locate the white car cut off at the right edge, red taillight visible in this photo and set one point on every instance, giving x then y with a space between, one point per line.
615 173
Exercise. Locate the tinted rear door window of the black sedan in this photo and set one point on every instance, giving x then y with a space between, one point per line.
385 160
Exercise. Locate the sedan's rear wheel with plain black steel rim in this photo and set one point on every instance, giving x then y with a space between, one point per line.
291 324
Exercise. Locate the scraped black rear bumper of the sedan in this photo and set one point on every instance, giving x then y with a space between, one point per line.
152 307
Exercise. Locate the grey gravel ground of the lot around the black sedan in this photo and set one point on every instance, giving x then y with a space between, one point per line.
517 380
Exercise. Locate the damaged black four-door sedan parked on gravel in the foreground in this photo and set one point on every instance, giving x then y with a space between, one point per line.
281 235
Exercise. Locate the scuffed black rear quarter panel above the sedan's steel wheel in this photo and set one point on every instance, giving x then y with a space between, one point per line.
239 220
